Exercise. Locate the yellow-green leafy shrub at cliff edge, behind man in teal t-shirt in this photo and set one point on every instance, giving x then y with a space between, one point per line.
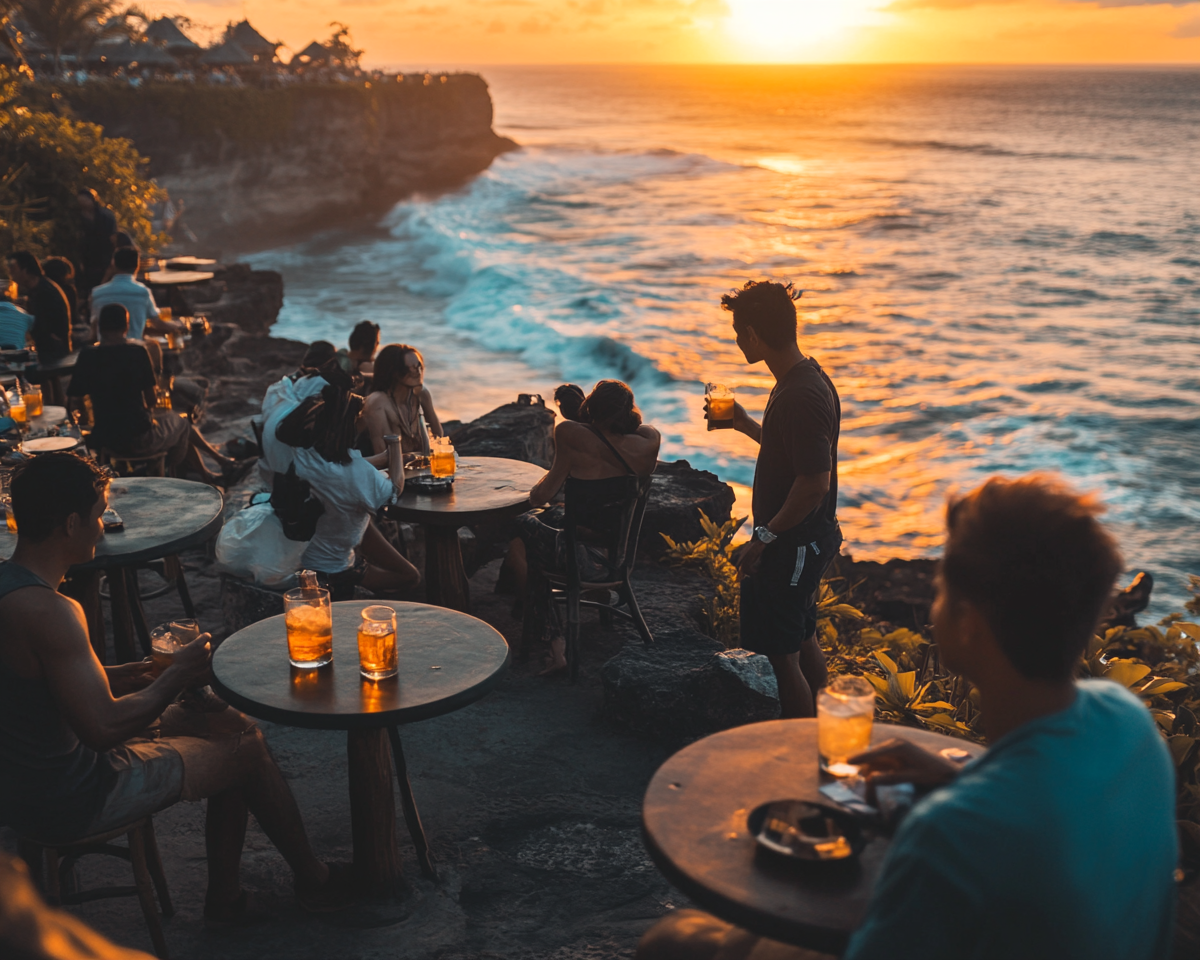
1160 664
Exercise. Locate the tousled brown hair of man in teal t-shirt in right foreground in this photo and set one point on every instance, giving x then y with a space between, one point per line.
1033 557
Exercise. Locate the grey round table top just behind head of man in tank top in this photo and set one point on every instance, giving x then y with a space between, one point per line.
163 517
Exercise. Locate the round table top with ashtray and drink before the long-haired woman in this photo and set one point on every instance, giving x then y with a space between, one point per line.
483 487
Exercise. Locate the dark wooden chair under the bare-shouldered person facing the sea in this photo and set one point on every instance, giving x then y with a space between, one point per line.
607 513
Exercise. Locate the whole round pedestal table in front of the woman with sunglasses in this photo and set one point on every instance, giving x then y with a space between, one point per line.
484 489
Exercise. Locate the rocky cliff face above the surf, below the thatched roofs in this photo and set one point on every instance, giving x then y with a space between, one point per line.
256 166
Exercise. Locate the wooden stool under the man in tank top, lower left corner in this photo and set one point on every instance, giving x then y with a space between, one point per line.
53 865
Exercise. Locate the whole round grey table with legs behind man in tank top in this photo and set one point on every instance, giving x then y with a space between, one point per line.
163 518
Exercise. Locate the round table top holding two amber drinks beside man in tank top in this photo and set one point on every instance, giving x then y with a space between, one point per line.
447 661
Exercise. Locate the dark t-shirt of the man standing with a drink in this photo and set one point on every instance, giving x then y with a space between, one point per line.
800 437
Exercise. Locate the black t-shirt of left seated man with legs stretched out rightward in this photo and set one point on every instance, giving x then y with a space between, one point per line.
116 376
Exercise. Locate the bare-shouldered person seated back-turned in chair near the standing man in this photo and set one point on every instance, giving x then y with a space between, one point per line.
609 441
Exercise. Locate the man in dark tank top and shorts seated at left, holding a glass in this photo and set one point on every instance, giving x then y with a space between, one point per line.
86 749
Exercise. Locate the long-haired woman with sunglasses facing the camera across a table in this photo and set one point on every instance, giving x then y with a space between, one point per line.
398 400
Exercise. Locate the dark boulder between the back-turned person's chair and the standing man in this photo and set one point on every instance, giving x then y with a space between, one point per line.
679 495
